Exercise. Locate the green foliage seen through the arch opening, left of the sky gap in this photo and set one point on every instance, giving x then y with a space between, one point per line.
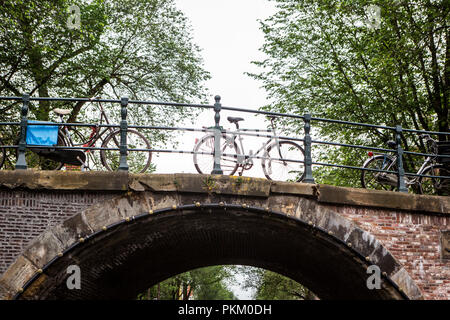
199 284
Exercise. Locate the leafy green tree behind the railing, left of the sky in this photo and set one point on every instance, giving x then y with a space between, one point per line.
136 48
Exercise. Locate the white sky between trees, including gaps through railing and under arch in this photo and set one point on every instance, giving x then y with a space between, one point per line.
228 33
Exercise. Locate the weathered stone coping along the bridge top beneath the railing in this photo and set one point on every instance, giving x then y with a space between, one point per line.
196 183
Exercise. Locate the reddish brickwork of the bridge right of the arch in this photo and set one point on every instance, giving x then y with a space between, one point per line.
414 239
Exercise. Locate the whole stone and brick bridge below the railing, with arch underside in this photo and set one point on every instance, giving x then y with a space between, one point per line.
128 232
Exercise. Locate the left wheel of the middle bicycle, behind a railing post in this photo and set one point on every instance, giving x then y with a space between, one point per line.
204 163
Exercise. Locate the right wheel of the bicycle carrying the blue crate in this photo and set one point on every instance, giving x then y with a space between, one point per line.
138 161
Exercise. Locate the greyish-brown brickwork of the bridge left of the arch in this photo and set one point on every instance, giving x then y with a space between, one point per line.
26 214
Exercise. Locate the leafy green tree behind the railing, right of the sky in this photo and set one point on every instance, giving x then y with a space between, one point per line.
323 57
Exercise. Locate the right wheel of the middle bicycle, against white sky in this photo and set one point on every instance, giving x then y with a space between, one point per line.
284 164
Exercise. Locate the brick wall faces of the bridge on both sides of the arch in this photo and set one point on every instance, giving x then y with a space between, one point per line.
414 239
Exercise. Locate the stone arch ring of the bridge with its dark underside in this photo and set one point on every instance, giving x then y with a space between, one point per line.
136 240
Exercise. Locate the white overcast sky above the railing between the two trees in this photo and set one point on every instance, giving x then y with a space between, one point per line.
229 35
